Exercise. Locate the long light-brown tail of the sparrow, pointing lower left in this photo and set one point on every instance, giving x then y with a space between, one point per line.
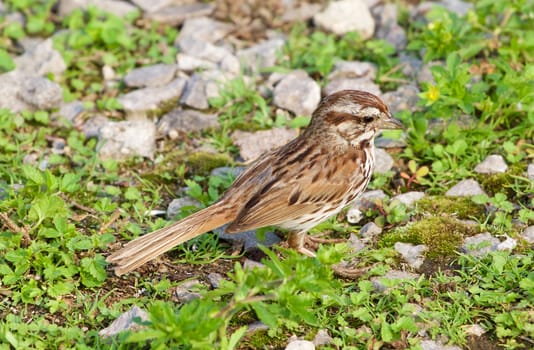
149 246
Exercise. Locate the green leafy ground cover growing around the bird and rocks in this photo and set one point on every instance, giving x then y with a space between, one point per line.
58 224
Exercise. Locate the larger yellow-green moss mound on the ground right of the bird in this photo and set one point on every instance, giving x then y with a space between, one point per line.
441 234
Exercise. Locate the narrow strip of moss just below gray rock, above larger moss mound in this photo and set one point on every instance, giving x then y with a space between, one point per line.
461 207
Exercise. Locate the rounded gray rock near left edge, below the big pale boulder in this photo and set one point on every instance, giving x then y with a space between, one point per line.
41 93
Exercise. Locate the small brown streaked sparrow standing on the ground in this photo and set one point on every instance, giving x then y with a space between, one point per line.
294 187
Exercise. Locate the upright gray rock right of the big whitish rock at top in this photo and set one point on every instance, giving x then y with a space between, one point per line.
388 27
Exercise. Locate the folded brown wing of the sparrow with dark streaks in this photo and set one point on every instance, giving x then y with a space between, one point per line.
316 184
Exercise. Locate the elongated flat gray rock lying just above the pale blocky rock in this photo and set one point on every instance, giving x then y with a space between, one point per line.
136 103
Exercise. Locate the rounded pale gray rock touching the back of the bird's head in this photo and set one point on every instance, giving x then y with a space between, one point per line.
298 93
